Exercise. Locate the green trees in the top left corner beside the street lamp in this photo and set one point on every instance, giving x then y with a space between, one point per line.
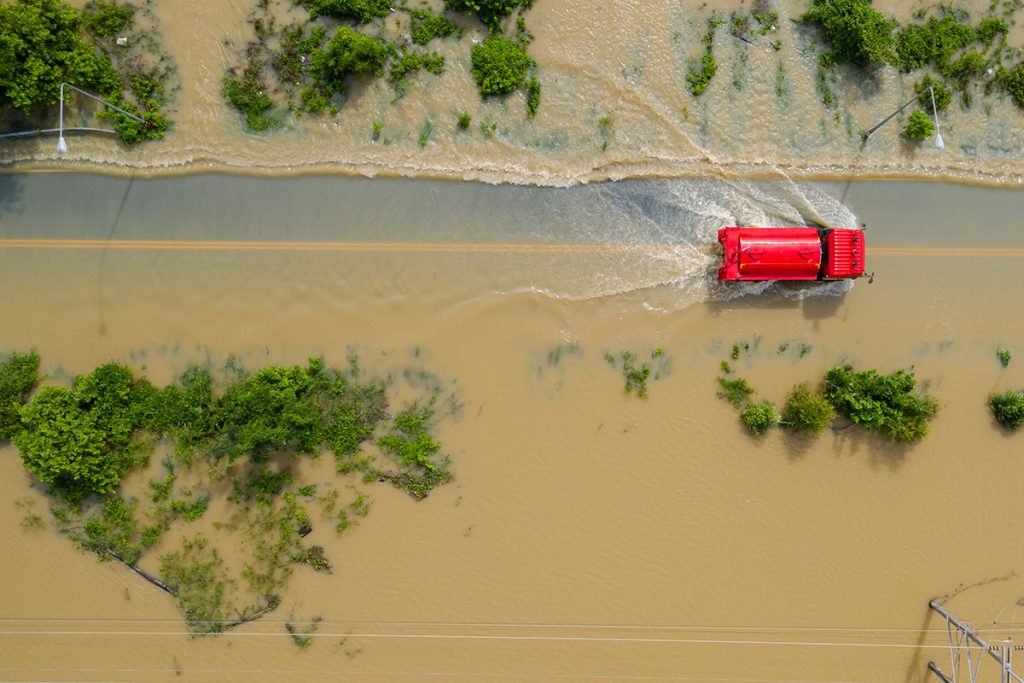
108 48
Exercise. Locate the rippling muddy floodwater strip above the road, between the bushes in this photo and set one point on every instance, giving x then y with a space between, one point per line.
615 105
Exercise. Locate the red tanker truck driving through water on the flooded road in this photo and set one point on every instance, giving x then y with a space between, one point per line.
791 253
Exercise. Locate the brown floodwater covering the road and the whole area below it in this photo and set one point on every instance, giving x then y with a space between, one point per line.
588 535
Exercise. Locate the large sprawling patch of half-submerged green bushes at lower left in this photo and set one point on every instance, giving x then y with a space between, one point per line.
84 442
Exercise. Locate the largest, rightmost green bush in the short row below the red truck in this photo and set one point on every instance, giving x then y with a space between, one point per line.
886 404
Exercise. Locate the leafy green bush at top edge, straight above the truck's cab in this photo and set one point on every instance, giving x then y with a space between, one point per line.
856 32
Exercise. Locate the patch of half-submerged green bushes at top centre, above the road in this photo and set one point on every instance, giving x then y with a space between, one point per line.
312 66
